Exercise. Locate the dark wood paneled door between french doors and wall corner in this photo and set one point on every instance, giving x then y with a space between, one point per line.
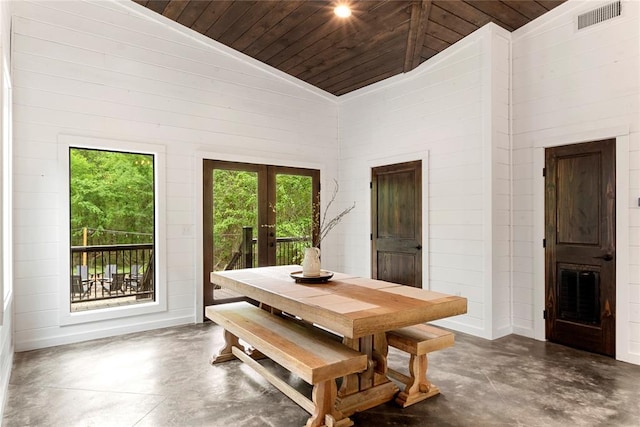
396 209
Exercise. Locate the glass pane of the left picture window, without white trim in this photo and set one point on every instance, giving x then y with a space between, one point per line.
112 228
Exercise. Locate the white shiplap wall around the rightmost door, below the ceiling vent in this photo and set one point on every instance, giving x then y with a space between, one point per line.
574 86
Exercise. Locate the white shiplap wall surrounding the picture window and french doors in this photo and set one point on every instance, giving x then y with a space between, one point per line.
117 71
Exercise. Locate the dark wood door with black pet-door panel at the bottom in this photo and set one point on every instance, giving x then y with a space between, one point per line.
580 246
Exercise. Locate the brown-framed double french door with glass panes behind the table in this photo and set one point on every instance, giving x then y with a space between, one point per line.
256 215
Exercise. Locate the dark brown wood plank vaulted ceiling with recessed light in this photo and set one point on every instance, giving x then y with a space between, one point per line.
381 38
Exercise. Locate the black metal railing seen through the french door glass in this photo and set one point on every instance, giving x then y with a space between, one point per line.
289 250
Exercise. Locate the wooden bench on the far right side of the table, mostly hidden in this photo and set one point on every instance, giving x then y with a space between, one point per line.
417 340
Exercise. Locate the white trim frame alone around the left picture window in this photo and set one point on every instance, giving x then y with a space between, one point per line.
67 317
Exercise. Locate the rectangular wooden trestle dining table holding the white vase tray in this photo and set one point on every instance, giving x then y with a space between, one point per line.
358 309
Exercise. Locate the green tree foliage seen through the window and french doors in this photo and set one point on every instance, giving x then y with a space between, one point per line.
112 196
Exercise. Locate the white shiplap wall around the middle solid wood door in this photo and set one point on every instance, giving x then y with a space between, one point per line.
453 112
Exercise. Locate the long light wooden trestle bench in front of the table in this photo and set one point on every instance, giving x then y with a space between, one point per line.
310 354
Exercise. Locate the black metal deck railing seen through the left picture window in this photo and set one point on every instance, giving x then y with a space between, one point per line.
112 272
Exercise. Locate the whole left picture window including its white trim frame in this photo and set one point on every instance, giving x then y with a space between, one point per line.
113 234
